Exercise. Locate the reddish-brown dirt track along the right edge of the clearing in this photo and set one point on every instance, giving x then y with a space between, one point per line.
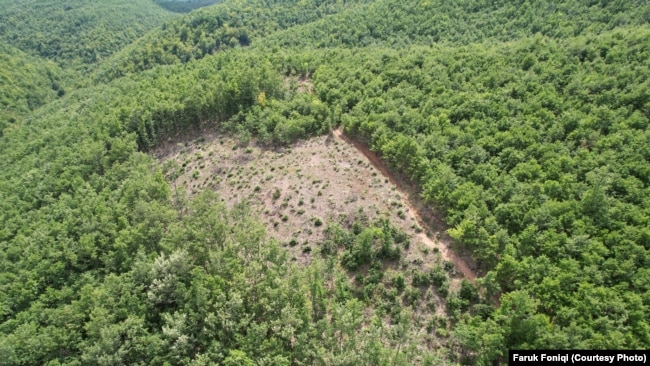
417 210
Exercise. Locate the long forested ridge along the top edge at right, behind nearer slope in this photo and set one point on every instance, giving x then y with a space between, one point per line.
462 22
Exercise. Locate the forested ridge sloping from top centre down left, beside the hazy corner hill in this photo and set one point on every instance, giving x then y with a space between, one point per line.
237 23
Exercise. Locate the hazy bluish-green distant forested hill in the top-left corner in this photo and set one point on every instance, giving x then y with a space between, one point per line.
77 33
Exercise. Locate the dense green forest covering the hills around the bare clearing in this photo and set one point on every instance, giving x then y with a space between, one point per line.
525 125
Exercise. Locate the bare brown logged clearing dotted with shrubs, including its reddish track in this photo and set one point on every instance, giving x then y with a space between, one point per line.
298 190
